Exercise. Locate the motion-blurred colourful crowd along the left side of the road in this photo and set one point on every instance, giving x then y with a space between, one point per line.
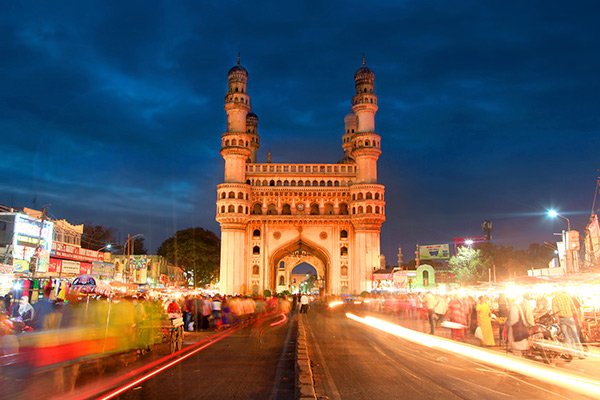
59 335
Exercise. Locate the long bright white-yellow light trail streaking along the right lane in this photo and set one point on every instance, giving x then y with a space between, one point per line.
570 381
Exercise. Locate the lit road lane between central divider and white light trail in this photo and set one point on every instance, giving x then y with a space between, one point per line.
354 361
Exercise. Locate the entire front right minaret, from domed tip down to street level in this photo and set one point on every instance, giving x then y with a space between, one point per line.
367 196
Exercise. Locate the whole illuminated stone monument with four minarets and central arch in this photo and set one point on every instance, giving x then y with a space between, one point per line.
275 216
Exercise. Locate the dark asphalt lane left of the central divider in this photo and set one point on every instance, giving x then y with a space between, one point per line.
254 363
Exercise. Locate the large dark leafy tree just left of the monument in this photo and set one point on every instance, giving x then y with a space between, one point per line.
197 251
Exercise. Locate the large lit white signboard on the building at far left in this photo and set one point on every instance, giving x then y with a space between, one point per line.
31 239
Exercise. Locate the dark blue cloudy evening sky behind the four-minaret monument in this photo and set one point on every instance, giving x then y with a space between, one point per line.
111 112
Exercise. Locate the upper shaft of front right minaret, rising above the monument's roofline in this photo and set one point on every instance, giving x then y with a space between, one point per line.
365 143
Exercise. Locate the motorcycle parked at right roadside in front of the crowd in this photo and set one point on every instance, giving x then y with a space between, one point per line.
547 341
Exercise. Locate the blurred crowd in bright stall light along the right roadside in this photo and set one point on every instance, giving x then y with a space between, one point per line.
487 320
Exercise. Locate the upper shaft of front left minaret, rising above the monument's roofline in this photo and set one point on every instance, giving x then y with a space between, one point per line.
236 142
